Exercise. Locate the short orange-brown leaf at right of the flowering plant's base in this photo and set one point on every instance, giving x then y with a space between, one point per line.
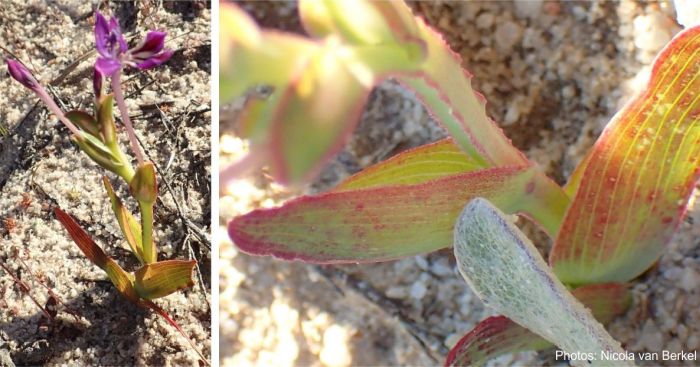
163 278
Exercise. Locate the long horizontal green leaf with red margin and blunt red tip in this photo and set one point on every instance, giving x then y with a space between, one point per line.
380 223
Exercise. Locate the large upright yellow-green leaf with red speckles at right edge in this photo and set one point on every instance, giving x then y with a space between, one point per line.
637 180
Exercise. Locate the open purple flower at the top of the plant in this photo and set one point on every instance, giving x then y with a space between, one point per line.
114 52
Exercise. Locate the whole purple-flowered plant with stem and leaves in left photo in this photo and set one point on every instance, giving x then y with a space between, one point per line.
95 134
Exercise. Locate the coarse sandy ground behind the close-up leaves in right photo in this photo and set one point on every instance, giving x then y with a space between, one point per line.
553 73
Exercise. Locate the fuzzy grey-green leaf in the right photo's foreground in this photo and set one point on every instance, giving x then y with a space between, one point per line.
507 272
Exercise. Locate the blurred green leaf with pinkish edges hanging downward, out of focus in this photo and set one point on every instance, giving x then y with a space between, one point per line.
314 117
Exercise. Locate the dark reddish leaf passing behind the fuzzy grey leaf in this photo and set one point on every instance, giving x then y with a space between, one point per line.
499 335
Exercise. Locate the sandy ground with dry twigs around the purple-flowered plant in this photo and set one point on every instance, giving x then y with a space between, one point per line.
41 168
